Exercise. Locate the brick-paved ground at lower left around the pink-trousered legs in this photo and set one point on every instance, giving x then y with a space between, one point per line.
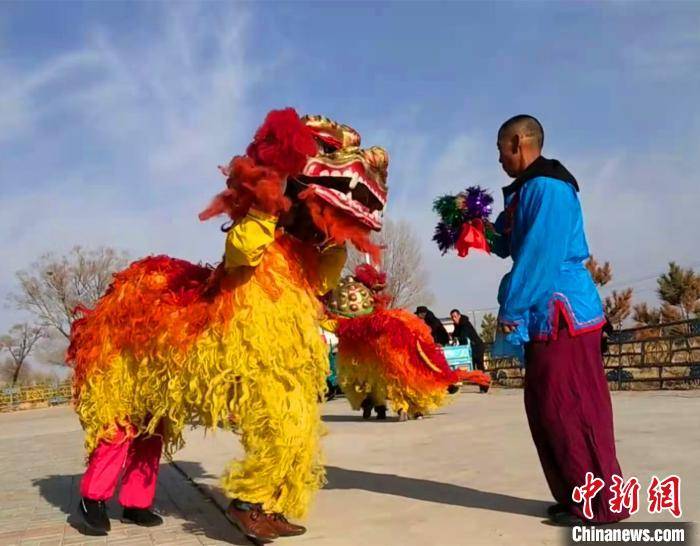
41 462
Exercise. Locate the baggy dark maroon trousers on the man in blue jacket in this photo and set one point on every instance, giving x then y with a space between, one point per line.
570 414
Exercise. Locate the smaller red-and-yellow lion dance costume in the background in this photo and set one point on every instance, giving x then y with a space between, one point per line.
388 354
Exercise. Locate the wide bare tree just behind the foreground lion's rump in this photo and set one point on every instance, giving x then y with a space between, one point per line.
54 286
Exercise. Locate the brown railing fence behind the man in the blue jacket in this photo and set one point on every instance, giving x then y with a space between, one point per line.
666 356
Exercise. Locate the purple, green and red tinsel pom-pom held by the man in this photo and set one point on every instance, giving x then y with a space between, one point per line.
464 221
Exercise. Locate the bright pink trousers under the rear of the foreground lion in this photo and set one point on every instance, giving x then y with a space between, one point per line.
137 458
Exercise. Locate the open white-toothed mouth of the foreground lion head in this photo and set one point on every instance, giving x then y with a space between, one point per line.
349 187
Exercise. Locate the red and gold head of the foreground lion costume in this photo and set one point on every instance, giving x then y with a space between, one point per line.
313 174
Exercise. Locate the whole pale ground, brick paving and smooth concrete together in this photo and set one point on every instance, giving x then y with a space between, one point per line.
467 476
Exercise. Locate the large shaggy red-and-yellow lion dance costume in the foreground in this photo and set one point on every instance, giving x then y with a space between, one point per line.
239 346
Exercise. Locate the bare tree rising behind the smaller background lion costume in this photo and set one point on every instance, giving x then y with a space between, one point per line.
402 261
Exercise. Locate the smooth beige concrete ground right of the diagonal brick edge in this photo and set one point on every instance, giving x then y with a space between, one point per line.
469 475
